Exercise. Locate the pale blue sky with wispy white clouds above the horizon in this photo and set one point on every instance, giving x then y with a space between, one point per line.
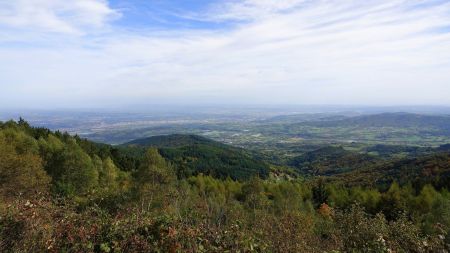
99 53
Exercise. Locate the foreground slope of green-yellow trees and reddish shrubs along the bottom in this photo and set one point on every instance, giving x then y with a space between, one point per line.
59 193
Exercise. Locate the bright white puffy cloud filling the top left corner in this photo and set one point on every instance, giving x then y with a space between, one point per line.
59 16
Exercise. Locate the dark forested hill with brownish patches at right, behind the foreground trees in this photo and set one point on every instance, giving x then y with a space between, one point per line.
422 166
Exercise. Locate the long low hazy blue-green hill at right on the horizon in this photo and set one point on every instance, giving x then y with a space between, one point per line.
407 120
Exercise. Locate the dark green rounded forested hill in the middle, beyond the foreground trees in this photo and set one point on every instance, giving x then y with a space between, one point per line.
192 154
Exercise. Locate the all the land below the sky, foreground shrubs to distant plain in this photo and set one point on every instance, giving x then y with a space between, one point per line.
250 176
